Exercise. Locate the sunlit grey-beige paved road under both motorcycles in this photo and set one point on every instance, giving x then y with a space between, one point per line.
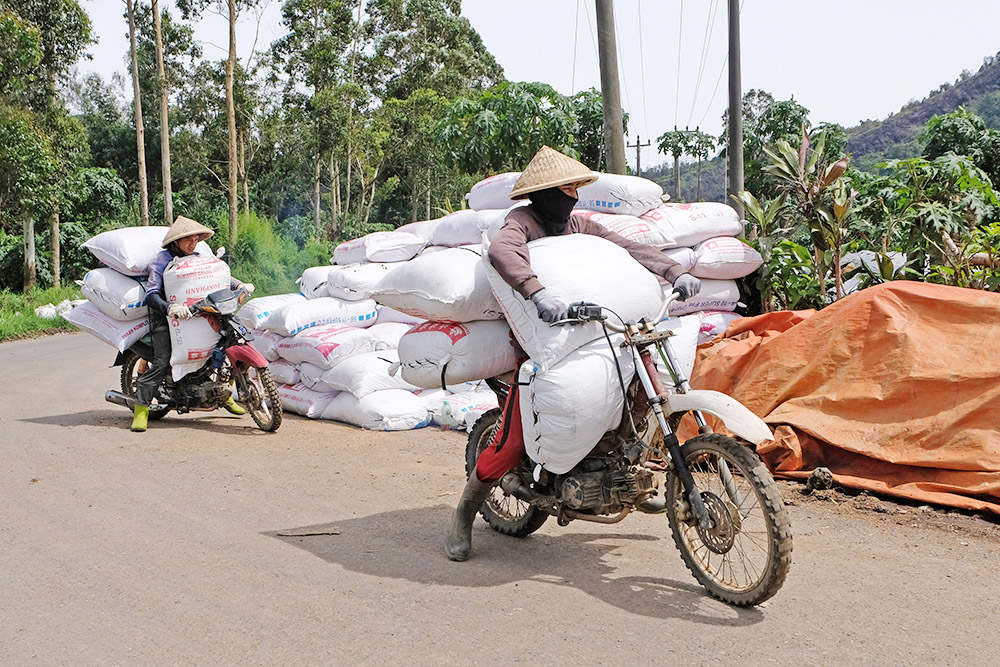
164 548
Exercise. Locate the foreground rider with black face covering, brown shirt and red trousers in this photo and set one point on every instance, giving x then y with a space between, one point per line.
550 182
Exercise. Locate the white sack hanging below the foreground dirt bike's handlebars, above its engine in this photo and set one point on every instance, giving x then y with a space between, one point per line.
567 409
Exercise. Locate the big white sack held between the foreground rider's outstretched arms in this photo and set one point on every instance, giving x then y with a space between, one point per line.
576 267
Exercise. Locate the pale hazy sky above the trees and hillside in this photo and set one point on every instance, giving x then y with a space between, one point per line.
846 61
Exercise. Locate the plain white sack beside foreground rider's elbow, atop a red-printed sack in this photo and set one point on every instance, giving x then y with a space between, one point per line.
448 286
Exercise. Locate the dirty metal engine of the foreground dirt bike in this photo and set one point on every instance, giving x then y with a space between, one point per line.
607 490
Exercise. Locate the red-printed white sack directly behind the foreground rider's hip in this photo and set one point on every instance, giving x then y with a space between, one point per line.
436 353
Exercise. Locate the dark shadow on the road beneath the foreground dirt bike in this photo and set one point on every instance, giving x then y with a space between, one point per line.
409 544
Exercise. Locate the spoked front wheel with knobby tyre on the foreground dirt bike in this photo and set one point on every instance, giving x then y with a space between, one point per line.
744 556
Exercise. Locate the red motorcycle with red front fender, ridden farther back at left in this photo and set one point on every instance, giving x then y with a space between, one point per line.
233 364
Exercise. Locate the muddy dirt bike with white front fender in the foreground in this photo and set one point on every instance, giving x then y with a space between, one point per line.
724 509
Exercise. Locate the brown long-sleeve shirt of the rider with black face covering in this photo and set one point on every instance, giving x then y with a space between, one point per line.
510 257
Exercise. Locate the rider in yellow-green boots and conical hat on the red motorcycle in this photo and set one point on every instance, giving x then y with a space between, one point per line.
180 240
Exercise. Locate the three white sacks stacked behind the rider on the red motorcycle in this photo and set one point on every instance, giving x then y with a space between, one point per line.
115 310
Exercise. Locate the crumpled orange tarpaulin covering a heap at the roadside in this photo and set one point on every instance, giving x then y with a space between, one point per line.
895 389
